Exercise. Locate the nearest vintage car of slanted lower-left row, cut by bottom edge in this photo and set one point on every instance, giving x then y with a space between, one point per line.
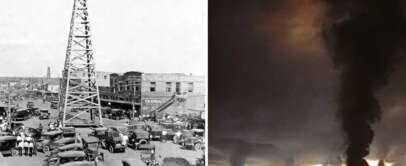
69 158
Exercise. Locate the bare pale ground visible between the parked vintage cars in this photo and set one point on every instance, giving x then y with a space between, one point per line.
167 149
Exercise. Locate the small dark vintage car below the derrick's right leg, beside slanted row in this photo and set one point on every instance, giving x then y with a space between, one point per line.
91 148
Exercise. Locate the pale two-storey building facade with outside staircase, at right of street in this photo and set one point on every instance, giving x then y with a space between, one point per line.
159 88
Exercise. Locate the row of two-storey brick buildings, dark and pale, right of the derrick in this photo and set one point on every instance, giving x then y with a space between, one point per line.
149 91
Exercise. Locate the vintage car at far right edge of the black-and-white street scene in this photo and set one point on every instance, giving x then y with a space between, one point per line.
191 140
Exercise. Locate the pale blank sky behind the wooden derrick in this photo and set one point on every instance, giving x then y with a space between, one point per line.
141 35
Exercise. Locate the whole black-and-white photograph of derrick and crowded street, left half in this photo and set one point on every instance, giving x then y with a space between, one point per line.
106 83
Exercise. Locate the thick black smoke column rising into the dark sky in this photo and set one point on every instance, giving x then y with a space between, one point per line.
364 38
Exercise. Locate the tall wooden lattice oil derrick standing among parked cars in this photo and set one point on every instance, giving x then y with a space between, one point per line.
79 100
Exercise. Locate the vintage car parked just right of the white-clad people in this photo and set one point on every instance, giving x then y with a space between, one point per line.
47 145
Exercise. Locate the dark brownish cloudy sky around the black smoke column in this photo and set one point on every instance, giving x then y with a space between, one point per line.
273 87
